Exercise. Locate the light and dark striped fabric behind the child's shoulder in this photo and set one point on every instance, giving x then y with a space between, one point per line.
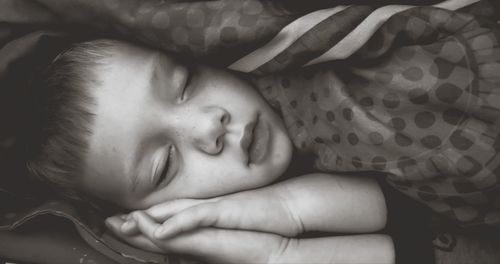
311 39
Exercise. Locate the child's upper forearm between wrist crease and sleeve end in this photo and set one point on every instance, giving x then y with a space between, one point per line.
333 203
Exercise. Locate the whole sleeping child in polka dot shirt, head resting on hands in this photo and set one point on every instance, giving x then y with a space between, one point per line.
198 153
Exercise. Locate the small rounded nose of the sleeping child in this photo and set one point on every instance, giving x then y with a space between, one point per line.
211 129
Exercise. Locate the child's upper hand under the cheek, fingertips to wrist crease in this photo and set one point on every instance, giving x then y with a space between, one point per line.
263 210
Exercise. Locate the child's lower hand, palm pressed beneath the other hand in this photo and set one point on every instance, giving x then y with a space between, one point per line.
210 244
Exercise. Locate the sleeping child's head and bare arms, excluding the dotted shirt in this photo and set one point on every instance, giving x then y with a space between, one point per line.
199 147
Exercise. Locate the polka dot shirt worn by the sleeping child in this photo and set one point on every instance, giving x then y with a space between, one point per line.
420 101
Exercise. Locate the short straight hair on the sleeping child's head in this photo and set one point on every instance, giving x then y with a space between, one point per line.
66 116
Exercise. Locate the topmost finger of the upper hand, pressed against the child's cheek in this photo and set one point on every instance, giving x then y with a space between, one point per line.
163 211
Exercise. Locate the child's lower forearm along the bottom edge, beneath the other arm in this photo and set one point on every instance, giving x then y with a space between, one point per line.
340 249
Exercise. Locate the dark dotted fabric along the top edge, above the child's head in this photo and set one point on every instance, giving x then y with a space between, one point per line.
196 28
